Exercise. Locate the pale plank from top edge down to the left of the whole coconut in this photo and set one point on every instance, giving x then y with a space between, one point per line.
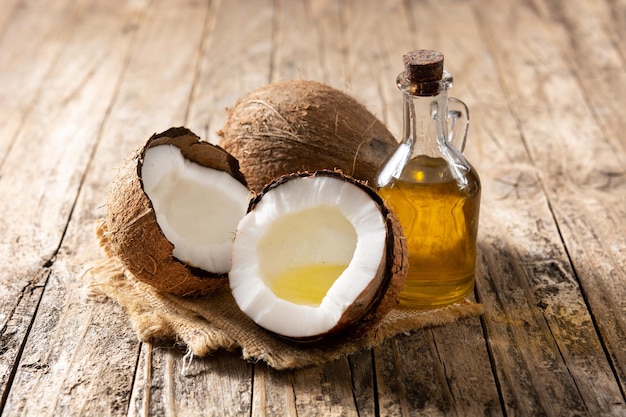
236 58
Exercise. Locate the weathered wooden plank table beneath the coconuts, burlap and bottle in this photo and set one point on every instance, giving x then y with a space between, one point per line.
84 82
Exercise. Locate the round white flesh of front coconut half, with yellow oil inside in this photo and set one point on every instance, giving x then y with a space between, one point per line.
305 254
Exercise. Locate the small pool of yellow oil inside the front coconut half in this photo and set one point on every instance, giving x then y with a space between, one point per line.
306 285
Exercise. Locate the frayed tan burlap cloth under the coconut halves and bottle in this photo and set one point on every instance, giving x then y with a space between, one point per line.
206 324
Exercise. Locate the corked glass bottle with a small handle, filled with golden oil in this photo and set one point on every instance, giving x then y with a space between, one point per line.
432 187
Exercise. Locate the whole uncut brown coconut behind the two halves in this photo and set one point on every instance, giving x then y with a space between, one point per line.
297 126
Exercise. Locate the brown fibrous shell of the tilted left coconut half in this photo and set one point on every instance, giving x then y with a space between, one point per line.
131 232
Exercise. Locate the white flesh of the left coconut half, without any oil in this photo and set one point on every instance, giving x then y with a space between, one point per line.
197 208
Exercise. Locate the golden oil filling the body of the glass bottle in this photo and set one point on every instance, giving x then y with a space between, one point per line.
438 211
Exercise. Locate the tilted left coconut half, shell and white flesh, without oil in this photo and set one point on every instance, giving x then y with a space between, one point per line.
172 211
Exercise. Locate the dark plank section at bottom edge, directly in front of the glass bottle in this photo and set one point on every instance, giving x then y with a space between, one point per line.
442 371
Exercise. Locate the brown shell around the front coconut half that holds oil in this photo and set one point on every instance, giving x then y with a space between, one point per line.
383 292
